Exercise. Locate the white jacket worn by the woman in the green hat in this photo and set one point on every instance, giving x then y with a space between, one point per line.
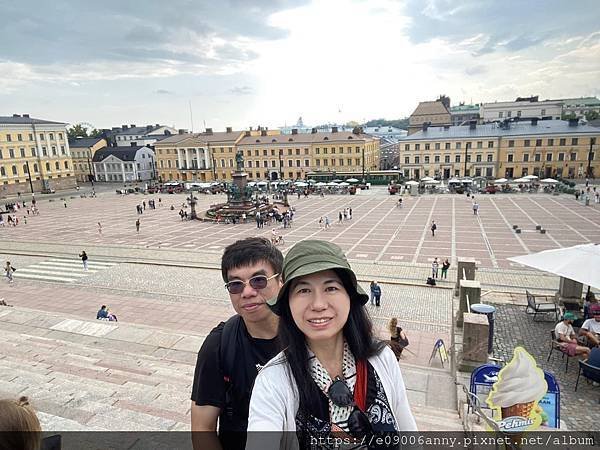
274 402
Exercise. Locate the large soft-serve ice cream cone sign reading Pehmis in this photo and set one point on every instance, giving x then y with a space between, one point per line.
514 397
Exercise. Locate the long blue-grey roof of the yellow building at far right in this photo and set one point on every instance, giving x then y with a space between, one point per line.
544 127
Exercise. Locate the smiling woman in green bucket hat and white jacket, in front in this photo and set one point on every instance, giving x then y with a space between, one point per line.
333 376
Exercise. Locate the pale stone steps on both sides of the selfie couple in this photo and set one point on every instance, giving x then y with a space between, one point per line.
94 376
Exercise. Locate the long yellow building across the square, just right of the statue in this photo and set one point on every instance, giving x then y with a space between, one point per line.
292 156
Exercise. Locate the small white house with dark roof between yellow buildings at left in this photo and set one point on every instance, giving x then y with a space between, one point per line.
134 163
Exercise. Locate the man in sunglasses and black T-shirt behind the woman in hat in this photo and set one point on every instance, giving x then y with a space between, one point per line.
234 352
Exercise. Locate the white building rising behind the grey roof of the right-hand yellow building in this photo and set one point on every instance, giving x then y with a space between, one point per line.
521 109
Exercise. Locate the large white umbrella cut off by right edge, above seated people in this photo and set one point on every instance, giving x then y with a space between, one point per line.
579 263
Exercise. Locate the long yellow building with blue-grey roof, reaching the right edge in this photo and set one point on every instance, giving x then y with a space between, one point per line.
550 148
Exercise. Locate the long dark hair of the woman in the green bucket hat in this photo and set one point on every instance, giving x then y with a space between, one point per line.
358 333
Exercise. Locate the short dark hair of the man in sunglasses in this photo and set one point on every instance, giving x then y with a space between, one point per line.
250 251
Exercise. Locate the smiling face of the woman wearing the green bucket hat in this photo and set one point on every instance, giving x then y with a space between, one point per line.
319 305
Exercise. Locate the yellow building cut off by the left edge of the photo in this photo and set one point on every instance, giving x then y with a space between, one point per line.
34 155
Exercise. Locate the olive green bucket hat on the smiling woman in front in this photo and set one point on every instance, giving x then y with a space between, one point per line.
312 256
